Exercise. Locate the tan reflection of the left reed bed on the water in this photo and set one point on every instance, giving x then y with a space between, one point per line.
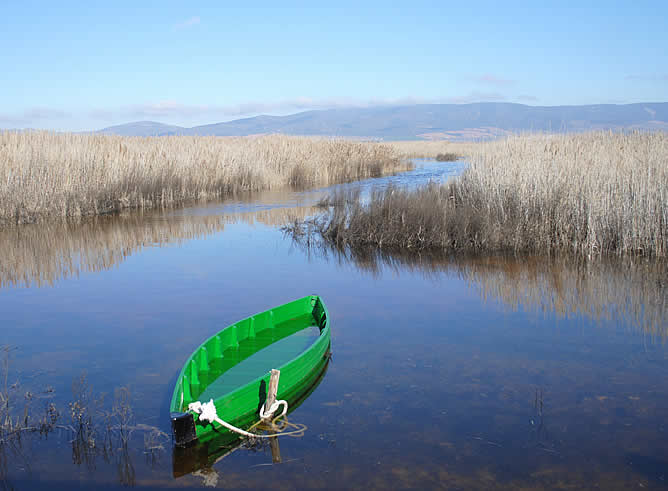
42 255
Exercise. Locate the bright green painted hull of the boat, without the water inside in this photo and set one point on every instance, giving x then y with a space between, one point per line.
240 407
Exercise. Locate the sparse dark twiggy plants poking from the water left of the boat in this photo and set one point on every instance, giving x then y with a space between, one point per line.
94 426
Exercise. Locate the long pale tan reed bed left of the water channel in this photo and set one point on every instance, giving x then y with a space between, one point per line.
47 175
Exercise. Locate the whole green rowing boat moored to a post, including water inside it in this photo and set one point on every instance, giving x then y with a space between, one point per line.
232 368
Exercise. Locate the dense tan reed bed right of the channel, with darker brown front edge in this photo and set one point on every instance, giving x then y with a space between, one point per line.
597 193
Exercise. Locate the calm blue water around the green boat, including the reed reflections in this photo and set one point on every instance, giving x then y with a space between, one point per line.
458 374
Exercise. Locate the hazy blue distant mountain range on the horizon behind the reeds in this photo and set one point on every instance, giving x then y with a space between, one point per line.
426 121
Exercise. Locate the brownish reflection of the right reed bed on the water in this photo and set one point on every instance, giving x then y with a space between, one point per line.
632 292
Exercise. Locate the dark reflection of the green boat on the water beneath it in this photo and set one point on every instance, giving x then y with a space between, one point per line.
200 458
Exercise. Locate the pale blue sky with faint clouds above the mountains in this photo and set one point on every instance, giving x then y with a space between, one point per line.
79 65
